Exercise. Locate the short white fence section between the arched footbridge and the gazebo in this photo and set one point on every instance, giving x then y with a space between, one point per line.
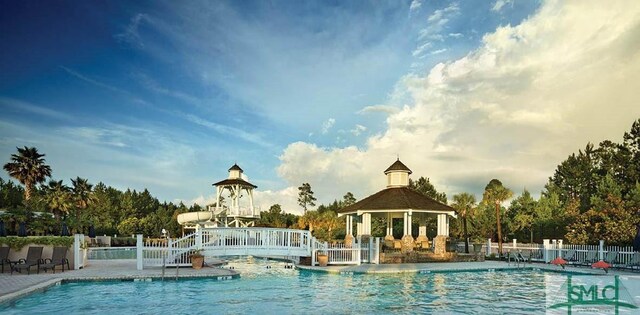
340 254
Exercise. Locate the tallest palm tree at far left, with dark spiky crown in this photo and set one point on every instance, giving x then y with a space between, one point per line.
28 168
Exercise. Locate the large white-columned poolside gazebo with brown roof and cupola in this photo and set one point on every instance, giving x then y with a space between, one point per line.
399 201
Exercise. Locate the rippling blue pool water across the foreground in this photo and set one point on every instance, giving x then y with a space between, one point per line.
277 290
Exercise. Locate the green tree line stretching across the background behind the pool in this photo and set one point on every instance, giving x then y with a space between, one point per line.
594 194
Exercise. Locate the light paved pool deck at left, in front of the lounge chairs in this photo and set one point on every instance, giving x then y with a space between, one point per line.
17 285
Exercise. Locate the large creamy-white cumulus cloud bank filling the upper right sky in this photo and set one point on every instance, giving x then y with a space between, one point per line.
512 109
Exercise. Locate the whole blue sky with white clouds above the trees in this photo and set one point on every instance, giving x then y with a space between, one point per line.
168 95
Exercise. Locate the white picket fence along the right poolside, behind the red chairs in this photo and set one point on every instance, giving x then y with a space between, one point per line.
551 249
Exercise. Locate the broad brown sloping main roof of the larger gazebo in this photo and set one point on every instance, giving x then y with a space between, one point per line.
397 198
